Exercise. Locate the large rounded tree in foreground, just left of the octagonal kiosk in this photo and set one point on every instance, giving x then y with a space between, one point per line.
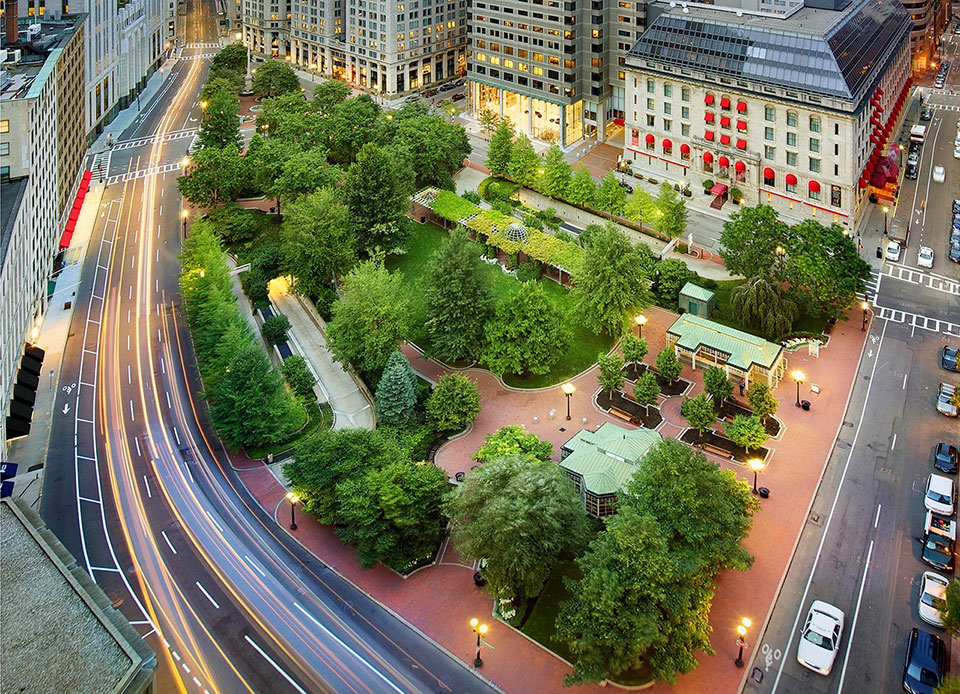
520 514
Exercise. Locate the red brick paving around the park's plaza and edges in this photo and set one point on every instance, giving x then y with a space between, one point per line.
439 600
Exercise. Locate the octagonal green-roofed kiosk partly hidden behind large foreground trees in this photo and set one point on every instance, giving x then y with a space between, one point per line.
601 462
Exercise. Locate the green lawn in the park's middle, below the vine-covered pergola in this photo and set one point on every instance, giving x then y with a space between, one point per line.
425 239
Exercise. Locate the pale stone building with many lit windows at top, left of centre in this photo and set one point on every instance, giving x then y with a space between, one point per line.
384 47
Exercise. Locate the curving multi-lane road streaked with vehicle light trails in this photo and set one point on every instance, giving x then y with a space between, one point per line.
145 497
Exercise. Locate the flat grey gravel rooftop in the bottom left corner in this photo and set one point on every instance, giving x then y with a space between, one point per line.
58 632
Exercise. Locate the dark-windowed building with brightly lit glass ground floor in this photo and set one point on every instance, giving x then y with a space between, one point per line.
553 68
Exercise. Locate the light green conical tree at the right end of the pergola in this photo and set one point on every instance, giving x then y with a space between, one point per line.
610 284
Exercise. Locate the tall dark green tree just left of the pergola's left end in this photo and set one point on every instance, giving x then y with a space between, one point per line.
377 198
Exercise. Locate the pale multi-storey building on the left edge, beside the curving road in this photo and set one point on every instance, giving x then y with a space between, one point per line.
42 145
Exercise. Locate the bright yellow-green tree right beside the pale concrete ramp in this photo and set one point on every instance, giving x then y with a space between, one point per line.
369 322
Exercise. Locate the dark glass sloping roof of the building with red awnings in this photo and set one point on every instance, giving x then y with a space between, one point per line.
827 52
